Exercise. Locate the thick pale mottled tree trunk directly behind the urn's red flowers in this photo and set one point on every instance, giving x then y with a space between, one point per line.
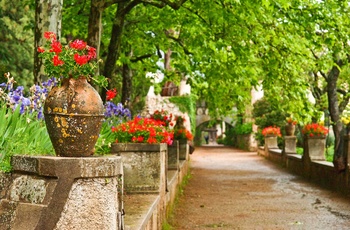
48 17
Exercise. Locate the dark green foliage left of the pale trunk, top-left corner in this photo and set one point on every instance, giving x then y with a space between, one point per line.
17 40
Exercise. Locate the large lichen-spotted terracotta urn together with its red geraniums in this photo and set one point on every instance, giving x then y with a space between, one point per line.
73 109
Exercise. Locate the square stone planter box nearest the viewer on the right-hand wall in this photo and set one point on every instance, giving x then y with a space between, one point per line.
315 147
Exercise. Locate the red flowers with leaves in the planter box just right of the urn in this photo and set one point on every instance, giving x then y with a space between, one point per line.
142 130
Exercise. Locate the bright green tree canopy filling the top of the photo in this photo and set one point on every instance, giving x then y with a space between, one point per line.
224 47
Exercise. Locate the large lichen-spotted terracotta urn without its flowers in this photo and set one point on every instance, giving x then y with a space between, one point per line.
74 114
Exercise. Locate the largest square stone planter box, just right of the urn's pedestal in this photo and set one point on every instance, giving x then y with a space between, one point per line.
144 166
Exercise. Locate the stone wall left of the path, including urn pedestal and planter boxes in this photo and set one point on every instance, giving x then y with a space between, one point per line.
44 193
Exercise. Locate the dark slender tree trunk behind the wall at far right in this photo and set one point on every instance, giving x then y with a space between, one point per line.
333 105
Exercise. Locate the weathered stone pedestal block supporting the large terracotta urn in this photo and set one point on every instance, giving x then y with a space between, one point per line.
64 192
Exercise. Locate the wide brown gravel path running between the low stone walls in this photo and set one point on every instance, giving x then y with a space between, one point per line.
233 189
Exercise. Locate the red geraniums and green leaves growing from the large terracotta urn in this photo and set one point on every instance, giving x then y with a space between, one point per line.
73 60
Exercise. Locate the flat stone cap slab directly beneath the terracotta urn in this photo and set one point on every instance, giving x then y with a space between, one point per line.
84 167
